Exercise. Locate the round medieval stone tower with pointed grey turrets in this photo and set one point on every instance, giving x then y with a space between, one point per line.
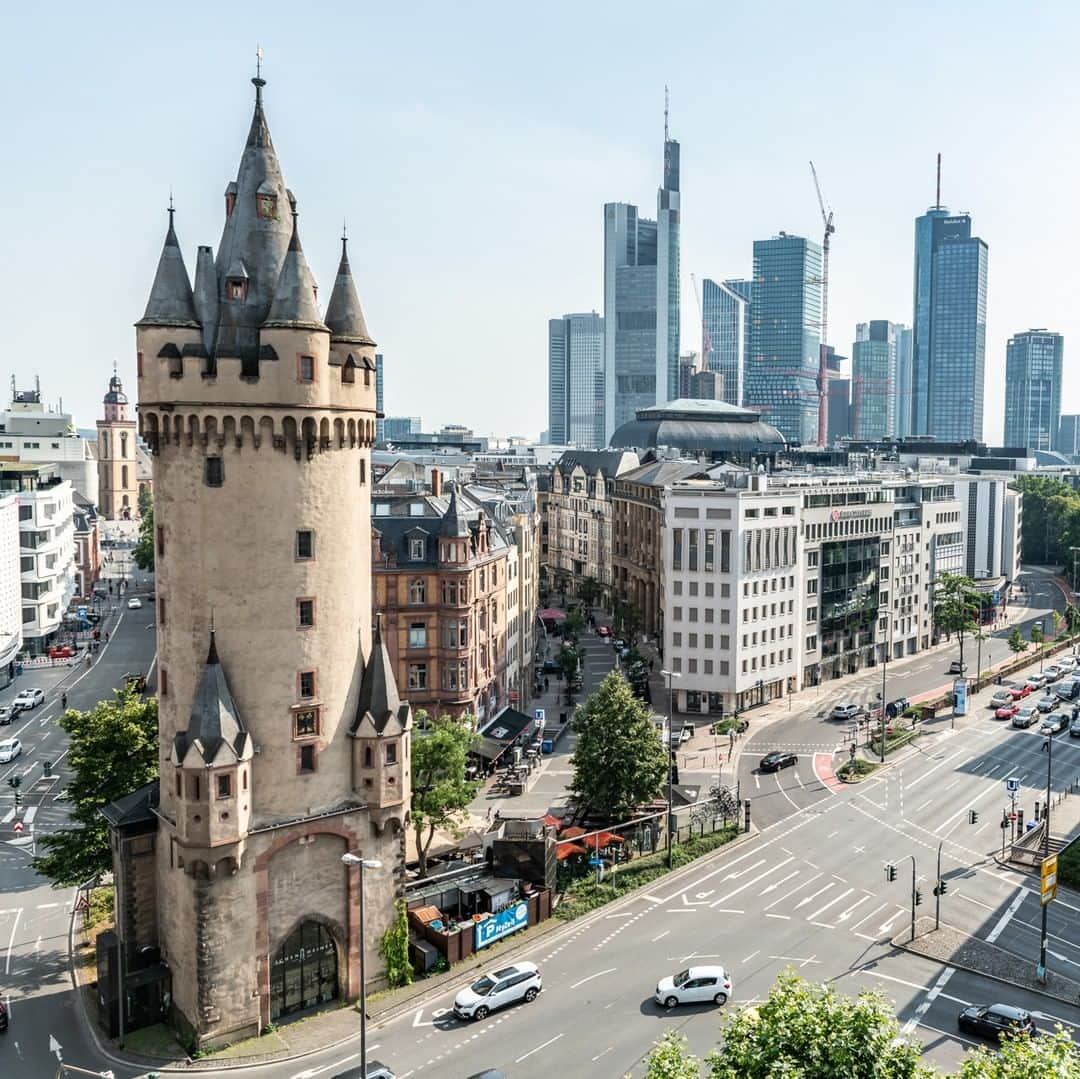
281 749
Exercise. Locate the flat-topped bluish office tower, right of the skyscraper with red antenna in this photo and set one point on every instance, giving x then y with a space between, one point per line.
1034 389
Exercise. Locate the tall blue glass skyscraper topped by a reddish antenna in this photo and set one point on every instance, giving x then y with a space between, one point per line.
949 357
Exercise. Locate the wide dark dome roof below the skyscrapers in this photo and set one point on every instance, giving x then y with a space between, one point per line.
705 427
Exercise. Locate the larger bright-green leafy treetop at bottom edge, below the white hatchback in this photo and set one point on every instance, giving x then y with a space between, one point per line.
813 1032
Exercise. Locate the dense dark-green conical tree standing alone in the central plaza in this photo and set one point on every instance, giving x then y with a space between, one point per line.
619 763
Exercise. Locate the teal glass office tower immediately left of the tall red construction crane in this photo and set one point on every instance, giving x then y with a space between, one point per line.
781 377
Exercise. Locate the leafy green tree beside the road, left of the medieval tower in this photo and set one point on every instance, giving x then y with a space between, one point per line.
114 751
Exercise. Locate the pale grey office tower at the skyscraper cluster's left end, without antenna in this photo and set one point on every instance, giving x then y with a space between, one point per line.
576 381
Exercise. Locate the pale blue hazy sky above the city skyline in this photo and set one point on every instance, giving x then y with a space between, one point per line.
471 147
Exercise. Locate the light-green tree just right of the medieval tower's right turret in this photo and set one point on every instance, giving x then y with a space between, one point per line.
441 793
